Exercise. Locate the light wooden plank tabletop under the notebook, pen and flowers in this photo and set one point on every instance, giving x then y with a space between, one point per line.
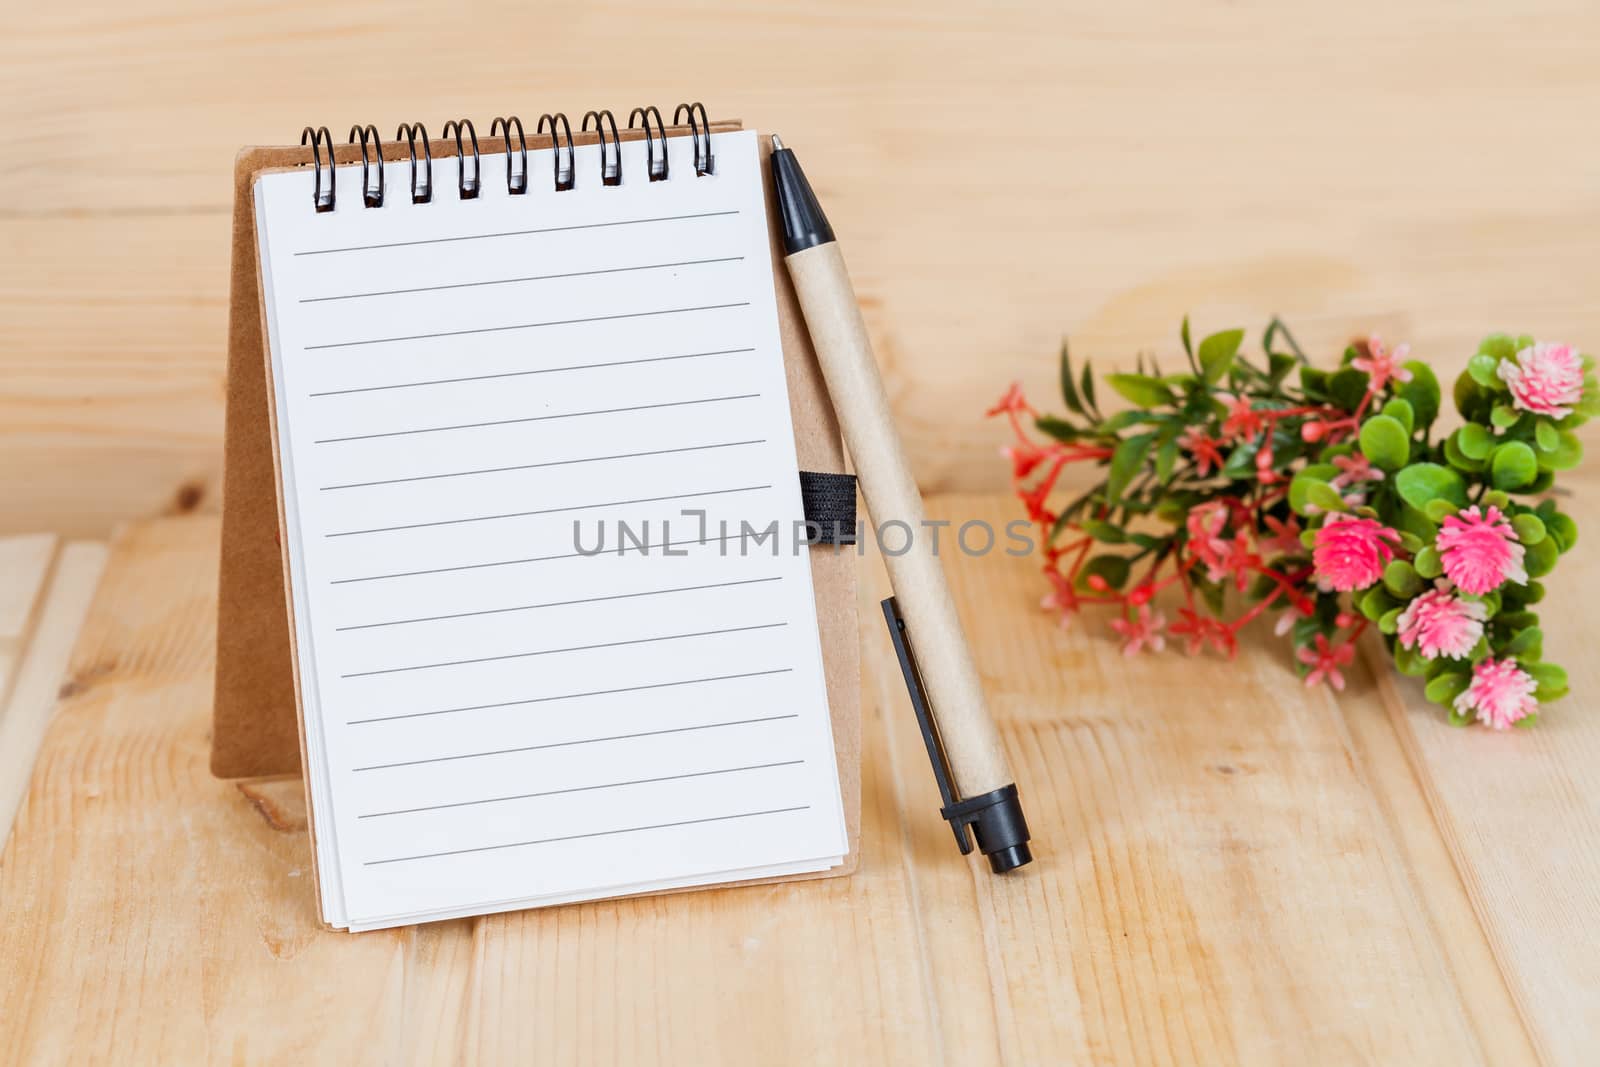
1233 869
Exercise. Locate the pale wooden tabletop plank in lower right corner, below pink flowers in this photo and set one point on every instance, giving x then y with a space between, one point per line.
1521 813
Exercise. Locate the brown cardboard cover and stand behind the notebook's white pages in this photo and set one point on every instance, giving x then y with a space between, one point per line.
257 724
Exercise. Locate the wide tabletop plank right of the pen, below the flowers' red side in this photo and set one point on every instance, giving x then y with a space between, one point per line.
1214 879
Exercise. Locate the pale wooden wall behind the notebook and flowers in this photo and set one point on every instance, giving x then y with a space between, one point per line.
1001 175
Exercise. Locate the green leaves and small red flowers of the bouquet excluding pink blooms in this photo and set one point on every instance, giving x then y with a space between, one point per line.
1289 449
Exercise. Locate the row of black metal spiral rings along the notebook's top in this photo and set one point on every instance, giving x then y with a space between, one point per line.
470 180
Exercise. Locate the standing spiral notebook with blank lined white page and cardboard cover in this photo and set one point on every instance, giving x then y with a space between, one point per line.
532 434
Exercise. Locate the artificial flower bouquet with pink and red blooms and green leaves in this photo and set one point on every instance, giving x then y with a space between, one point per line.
1332 498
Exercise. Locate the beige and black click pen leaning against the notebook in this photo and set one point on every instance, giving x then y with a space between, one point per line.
969 764
